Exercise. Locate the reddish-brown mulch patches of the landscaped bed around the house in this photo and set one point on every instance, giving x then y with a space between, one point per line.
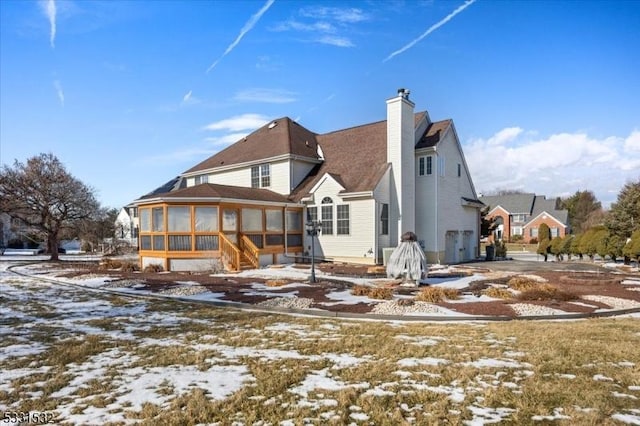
242 289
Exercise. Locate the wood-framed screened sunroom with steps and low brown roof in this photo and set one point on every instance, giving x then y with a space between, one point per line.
182 232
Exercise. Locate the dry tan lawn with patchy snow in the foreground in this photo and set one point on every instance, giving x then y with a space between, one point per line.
96 358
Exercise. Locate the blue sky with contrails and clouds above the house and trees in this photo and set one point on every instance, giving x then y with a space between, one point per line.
545 96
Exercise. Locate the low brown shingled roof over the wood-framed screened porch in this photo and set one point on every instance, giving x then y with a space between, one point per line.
211 190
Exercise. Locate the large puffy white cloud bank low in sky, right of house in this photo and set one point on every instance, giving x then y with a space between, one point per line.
557 165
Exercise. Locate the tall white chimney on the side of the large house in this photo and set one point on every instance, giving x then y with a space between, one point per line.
401 155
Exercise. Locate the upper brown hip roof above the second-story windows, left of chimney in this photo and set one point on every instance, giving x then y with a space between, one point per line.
278 137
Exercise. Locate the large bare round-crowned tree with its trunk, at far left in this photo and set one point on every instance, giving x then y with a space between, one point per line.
43 195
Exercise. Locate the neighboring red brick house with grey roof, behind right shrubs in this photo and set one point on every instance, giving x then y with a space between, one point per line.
522 214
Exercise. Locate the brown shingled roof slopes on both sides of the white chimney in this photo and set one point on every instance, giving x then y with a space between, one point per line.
358 156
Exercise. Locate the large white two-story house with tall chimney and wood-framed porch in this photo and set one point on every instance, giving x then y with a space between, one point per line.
366 185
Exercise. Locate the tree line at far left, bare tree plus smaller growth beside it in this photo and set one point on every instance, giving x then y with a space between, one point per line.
47 204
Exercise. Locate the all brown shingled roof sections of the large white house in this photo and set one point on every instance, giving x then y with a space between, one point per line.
356 157
